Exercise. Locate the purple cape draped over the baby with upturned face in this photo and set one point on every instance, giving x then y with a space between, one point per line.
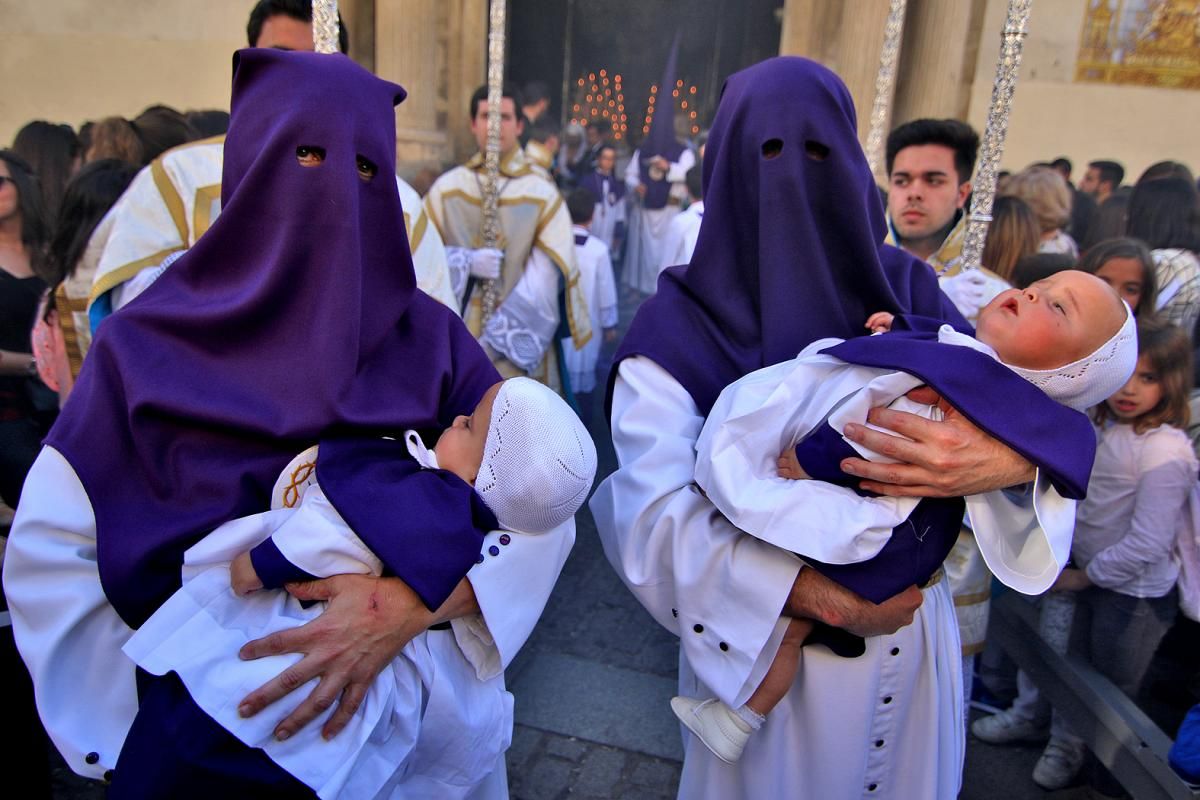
1055 438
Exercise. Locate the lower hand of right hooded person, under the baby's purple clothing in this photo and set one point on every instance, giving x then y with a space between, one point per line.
815 597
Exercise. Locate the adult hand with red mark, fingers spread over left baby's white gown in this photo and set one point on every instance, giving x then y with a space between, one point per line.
368 623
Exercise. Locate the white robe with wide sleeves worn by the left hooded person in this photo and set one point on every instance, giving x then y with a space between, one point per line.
71 637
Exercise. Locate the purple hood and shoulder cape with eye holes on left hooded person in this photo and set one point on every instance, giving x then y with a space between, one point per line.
295 318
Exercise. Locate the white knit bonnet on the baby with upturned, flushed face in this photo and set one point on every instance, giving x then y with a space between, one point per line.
1096 377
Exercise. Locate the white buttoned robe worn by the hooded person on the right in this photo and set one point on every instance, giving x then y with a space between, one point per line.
886 725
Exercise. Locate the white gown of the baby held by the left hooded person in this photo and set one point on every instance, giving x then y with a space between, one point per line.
431 684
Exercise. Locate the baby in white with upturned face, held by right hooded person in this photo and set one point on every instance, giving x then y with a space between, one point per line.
1069 335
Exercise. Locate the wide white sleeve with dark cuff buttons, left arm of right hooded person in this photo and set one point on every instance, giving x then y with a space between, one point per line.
718 590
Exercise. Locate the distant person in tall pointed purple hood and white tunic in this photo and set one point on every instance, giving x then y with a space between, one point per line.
656 177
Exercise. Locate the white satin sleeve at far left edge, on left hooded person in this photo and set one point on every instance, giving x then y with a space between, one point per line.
67 631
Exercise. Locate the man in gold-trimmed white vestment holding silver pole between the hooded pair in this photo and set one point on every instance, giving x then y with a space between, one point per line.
536 255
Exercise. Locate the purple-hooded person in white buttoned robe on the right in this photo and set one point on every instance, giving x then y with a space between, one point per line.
785 176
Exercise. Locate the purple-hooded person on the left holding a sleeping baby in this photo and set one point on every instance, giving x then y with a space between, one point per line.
296 320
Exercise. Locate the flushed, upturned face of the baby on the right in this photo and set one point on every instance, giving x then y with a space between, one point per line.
1053 323
